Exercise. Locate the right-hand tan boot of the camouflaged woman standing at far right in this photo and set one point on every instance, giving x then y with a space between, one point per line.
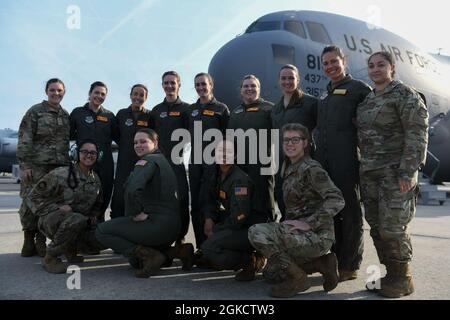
398 281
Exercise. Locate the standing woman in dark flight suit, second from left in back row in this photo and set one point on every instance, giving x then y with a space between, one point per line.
93 121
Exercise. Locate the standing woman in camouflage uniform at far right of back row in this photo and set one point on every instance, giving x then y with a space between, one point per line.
392 136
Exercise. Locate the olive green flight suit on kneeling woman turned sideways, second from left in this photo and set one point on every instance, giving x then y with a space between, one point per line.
150 188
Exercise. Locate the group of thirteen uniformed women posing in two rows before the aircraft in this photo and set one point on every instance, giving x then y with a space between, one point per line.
353 143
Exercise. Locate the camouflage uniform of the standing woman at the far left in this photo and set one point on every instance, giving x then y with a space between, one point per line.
43 146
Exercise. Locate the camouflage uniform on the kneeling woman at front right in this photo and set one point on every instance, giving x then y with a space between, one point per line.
310 196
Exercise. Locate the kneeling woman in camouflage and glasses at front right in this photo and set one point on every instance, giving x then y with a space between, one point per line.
300 243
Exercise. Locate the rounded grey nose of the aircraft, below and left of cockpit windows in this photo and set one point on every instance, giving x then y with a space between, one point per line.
246 54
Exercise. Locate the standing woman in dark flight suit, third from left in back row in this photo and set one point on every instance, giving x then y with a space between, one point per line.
129 121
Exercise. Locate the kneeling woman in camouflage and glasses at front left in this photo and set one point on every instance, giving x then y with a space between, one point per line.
66 200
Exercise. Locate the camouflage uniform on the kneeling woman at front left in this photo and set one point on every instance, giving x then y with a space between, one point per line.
52 192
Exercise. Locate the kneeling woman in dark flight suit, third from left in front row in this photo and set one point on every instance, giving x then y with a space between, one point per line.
227 246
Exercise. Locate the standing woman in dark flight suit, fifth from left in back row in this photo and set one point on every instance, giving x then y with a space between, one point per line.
210 114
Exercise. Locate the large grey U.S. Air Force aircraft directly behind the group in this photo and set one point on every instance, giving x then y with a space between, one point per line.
298 37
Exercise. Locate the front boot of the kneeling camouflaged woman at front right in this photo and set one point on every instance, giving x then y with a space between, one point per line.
296 281
